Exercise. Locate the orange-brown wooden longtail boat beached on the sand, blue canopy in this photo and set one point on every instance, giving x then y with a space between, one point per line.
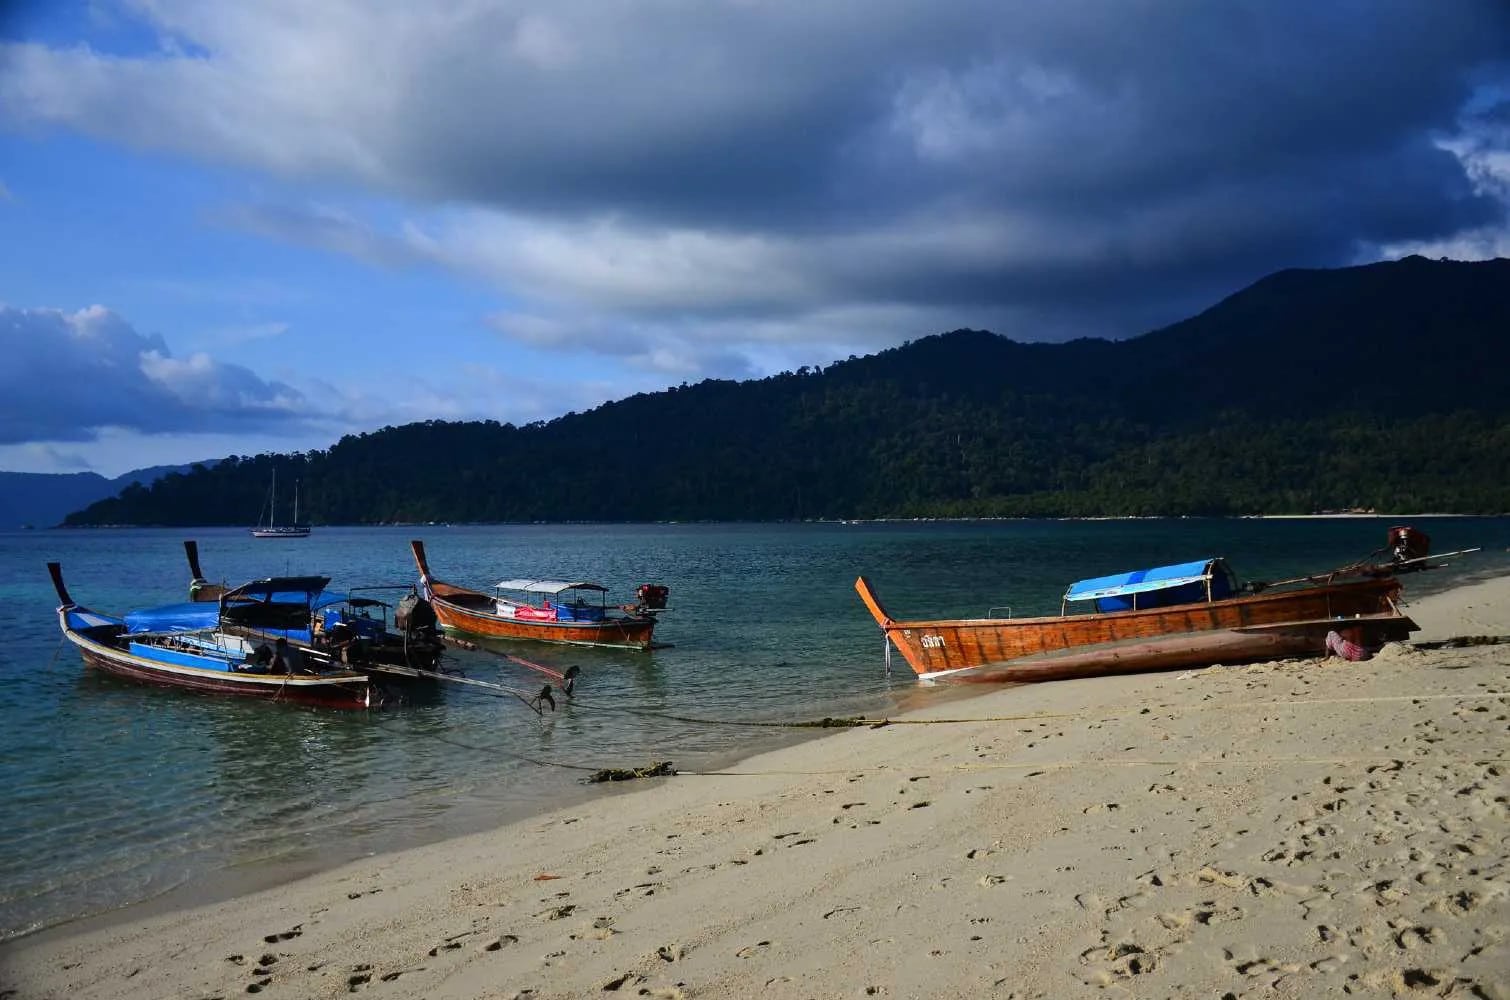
1154 620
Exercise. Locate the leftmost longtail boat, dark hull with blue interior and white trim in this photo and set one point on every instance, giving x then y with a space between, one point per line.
206 661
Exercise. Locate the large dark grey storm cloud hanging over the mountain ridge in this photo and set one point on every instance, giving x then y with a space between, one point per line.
828 173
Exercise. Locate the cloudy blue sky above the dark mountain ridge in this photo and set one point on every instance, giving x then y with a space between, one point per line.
260 226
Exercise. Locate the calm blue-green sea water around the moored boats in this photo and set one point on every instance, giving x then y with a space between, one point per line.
119 794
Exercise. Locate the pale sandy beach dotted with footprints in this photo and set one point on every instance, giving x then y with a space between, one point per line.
1296 830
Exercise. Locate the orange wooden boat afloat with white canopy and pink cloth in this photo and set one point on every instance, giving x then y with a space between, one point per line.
573 613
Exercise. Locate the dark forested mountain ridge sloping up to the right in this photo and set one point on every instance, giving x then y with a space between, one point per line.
1384 386
